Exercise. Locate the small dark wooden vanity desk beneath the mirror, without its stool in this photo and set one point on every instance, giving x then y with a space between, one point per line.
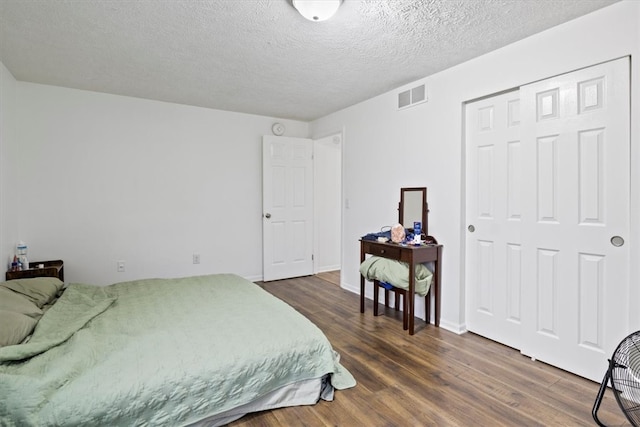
412 255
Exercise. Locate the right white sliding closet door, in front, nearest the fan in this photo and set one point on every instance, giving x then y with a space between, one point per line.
576 140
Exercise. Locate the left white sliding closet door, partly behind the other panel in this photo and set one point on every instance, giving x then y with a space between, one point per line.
493 217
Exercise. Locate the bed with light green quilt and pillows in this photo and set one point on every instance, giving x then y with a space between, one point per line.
200 350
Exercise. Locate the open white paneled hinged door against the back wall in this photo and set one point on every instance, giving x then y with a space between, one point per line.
287 200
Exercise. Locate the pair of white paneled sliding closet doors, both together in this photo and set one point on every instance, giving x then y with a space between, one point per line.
546 196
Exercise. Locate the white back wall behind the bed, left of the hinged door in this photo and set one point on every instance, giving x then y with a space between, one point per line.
105 178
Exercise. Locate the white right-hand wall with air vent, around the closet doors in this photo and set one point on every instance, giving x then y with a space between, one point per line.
381 144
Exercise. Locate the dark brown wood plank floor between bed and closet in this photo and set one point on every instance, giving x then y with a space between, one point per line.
434 378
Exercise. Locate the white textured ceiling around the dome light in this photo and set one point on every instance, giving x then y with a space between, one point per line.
260 56
